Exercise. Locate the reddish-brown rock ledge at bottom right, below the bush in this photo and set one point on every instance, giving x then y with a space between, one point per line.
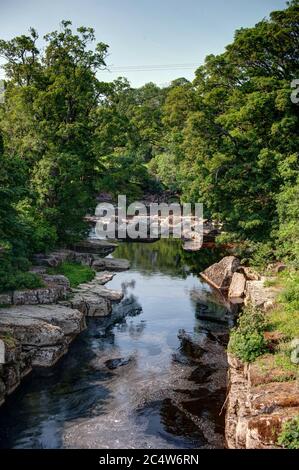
257 405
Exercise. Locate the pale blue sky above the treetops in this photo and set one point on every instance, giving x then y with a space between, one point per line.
143 32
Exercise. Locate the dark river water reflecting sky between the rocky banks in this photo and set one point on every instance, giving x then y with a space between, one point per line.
154 379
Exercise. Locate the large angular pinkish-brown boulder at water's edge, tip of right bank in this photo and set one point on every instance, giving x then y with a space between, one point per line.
219 275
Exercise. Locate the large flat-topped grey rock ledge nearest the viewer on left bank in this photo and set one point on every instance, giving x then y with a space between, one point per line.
34 335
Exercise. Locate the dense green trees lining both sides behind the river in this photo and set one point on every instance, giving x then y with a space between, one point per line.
228 139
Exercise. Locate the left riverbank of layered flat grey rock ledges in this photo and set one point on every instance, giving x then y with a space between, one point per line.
38 325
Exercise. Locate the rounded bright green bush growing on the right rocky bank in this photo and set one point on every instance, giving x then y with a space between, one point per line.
247 339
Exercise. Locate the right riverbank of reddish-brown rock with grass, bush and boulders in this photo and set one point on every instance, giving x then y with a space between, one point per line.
263 380
